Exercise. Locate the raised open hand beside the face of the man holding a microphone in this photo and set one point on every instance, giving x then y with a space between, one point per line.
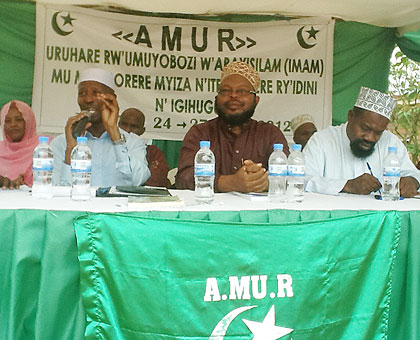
109 114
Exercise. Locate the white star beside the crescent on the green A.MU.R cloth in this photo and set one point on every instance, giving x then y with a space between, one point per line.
267 330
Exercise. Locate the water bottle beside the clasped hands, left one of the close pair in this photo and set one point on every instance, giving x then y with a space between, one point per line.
277 172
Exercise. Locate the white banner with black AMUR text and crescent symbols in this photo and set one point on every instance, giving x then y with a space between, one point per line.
170 68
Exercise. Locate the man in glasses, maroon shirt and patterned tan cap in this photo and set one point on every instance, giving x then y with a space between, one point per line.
241 145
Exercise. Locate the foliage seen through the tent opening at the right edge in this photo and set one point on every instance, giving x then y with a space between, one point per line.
404 85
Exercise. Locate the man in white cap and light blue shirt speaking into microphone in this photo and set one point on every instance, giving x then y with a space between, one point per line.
118 158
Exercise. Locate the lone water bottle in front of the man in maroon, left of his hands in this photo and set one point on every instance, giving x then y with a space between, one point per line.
204 164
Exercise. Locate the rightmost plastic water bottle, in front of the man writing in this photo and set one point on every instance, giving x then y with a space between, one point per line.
392 175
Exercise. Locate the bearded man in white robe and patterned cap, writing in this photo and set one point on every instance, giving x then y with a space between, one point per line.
349 158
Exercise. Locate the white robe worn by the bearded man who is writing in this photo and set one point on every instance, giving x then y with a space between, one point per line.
330 162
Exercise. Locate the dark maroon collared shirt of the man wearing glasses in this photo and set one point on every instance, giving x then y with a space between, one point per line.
255 142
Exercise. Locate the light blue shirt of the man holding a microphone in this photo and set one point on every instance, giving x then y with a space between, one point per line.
111 164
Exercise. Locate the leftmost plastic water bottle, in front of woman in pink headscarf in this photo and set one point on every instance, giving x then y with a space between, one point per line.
42 169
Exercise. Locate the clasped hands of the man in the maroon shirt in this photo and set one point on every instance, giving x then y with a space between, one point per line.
251 177
